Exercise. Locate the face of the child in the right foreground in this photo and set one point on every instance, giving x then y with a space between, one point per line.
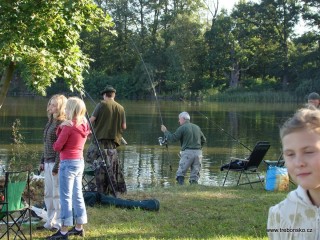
301 151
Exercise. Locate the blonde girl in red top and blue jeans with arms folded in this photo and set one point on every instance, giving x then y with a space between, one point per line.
72 135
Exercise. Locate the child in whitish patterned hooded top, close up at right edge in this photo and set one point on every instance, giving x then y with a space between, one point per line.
298 216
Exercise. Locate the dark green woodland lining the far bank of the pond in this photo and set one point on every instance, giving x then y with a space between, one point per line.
190 48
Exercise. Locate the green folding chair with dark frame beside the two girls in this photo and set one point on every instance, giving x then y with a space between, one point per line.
13 210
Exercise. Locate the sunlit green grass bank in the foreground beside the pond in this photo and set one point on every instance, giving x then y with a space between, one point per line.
186 212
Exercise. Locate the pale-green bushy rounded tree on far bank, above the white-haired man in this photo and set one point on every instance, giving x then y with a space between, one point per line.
185 55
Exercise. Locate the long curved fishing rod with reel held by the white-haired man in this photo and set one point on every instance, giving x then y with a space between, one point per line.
162 140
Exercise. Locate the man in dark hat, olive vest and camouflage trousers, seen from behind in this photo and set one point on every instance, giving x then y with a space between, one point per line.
109 121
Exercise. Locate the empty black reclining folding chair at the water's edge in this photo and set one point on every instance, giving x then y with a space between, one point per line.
248 165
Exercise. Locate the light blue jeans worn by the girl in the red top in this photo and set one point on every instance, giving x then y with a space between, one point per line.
71 197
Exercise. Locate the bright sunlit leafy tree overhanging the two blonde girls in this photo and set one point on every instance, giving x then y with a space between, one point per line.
41 40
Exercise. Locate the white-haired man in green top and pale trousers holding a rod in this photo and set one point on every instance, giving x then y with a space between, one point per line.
191 140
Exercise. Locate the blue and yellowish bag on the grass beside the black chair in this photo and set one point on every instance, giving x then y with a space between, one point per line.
277 179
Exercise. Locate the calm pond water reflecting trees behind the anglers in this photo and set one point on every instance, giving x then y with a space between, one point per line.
231 129
